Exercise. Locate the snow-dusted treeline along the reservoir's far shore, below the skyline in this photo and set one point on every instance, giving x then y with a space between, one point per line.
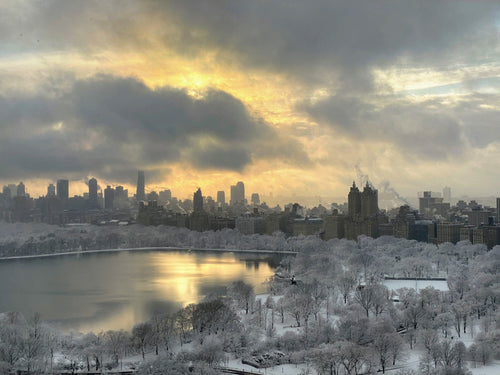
35 239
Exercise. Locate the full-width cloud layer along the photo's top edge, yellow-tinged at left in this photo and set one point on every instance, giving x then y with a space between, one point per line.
310 40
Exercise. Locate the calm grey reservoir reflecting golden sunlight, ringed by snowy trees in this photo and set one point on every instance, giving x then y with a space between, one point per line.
104 291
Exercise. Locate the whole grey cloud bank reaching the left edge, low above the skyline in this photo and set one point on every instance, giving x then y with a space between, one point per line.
110 127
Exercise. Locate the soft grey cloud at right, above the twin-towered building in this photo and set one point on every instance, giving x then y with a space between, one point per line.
430 130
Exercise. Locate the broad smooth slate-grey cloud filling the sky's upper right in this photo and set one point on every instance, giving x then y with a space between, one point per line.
310 39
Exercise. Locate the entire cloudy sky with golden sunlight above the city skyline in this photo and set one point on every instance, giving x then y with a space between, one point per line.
295 98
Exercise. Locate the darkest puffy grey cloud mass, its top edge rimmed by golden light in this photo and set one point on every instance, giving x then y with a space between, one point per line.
131 109
